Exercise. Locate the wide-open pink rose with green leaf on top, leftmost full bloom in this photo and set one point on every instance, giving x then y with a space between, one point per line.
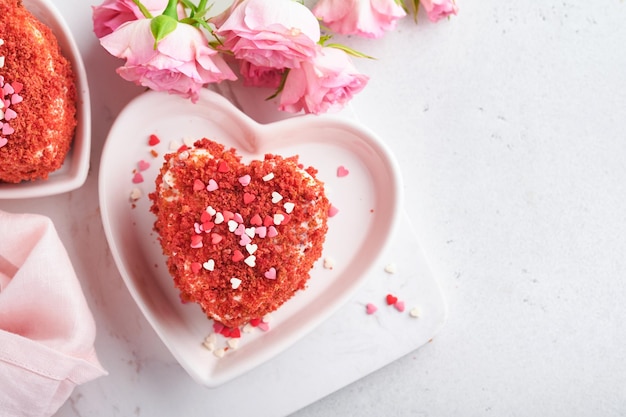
181 63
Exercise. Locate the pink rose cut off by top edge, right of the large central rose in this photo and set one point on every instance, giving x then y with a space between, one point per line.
369 18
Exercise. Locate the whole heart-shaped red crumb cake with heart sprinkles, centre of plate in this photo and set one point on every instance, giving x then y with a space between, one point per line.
207 256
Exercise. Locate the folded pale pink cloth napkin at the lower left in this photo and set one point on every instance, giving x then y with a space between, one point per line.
47 331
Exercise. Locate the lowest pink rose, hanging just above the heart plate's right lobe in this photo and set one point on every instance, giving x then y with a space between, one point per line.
325 83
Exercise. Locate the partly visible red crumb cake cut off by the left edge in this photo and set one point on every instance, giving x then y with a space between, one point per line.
45 122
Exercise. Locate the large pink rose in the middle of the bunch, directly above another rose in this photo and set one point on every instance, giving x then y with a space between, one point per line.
269 33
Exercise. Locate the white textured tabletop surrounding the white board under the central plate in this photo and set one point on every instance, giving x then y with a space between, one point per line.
508 121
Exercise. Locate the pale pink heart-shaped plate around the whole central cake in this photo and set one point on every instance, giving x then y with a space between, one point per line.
361 179
